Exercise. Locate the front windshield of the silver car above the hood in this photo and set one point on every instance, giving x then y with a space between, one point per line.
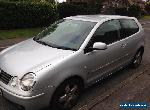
66 34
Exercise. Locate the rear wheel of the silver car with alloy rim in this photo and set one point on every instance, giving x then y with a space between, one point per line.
137 59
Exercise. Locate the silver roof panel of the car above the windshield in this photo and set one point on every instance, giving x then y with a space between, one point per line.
97 18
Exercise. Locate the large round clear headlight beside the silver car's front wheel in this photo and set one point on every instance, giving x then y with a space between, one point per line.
27 82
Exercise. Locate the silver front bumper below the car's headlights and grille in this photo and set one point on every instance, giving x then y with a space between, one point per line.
29 103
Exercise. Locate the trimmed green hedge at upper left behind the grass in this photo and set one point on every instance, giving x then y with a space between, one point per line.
26 14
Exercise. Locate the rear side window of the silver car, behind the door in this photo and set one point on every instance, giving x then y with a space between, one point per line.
129 27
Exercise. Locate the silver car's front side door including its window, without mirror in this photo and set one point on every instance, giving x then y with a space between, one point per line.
102 62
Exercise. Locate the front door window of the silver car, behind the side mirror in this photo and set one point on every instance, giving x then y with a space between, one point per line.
108 32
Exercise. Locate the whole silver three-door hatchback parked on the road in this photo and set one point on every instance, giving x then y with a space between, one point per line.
51 69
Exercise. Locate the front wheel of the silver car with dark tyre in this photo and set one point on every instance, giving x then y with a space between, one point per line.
66 95
